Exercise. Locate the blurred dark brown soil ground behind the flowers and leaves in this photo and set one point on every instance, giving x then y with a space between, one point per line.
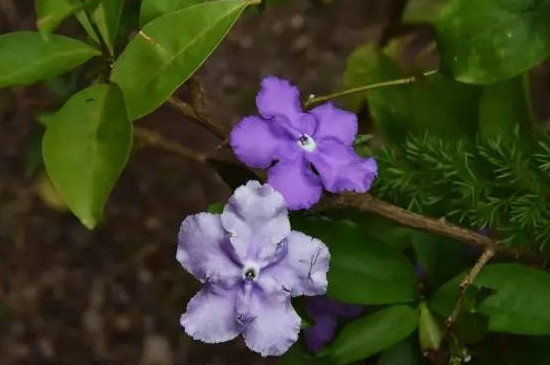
114 295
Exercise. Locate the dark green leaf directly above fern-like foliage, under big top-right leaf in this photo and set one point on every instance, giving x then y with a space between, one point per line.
504 113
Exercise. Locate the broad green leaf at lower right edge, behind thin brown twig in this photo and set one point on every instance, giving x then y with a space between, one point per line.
518 302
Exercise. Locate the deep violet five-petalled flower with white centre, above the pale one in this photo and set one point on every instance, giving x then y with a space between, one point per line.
304 151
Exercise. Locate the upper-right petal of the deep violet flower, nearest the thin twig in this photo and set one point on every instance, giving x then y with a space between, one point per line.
335 123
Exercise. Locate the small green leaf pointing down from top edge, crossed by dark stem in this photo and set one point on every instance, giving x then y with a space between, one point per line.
107 18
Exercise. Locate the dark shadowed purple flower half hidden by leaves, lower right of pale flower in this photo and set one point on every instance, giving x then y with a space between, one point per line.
325 313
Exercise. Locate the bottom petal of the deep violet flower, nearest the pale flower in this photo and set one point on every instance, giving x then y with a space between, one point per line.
300 187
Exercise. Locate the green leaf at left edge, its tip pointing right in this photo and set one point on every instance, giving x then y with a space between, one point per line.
26 57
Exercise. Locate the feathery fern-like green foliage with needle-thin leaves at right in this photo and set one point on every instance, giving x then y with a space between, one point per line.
490 185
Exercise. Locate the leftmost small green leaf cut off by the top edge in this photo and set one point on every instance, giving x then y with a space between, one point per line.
50 13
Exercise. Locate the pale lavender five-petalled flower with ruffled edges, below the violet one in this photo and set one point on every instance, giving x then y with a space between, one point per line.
251 264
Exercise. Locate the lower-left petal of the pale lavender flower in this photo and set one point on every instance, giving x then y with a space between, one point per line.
210 315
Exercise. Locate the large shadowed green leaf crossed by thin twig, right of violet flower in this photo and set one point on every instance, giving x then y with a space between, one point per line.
399 110
